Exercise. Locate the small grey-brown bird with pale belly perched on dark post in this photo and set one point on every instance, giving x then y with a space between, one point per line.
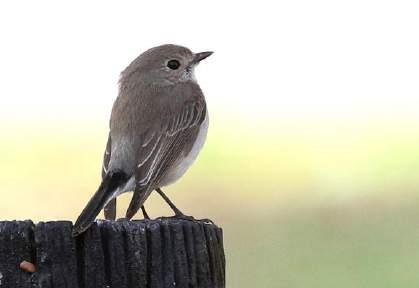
158 125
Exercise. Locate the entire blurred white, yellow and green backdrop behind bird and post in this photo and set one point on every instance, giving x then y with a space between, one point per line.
312 159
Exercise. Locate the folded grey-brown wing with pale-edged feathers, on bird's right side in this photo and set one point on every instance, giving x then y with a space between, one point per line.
164 147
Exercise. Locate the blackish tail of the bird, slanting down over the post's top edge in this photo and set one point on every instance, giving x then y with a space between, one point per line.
110 183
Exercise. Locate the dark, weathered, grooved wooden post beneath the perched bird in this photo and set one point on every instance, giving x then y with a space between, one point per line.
166 252
